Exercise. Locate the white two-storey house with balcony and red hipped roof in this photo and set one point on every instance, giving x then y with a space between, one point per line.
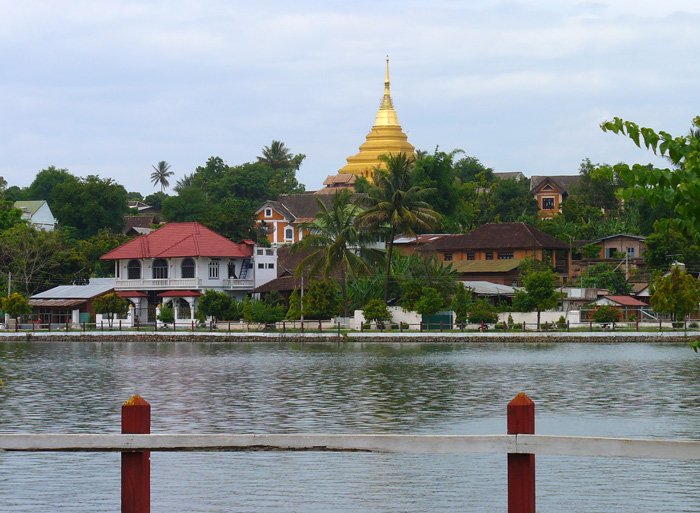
176 263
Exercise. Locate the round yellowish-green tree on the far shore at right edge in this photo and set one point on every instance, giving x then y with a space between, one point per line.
677 294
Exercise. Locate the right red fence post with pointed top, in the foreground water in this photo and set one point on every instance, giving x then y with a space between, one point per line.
521 467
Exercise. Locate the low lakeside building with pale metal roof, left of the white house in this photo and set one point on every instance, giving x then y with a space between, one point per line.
69 303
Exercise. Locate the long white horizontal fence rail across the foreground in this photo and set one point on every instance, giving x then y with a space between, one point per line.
407 444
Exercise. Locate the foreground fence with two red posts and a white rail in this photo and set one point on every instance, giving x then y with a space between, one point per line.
520 444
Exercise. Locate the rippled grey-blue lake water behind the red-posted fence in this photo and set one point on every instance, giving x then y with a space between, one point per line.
618 390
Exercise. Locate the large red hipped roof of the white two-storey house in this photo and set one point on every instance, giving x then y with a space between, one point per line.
179 240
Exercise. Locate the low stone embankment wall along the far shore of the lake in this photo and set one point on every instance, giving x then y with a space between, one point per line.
363 337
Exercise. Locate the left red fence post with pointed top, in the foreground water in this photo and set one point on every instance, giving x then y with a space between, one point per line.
136 466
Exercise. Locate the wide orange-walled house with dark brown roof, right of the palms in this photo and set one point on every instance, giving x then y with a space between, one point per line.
494 251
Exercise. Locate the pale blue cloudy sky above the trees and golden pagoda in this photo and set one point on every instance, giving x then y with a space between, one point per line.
112 88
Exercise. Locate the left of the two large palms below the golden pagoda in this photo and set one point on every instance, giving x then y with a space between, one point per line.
334 242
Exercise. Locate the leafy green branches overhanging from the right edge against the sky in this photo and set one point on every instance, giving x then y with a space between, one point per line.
679 188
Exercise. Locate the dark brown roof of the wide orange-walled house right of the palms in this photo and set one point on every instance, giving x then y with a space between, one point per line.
498 236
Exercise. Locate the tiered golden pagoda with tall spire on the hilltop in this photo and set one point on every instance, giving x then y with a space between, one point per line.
386 137
